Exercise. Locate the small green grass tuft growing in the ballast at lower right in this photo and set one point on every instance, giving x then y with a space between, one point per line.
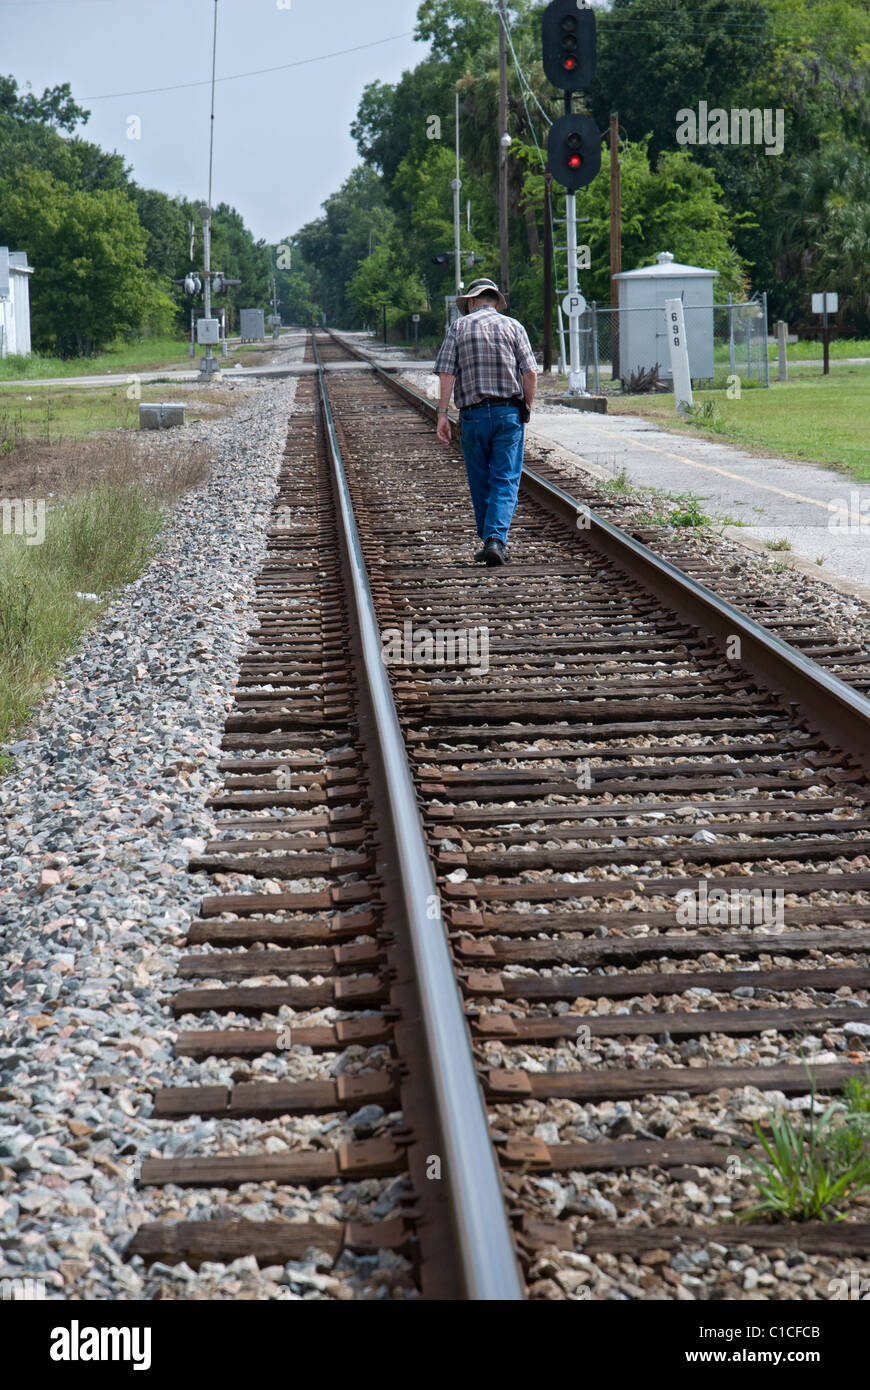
812 1168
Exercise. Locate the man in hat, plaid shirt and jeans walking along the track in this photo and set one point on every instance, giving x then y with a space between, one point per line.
487 363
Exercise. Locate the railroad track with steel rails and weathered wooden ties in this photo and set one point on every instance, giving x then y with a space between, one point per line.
582 801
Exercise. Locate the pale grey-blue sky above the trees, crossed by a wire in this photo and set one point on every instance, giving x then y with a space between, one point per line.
281 140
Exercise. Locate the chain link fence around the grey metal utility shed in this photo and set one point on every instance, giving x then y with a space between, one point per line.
740 344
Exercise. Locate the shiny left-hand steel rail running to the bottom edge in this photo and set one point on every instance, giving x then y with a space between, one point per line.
483 1231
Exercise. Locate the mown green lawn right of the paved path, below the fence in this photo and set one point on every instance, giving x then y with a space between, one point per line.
815 419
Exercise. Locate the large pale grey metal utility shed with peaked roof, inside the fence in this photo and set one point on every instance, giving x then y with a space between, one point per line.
643 323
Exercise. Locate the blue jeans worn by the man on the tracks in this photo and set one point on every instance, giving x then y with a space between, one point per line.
493 443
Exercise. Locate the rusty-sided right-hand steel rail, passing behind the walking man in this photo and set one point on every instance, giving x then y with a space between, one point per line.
836 710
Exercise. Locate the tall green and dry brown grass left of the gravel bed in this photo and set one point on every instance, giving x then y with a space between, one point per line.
99 534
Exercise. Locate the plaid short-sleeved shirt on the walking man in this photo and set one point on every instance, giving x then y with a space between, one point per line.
489 354
